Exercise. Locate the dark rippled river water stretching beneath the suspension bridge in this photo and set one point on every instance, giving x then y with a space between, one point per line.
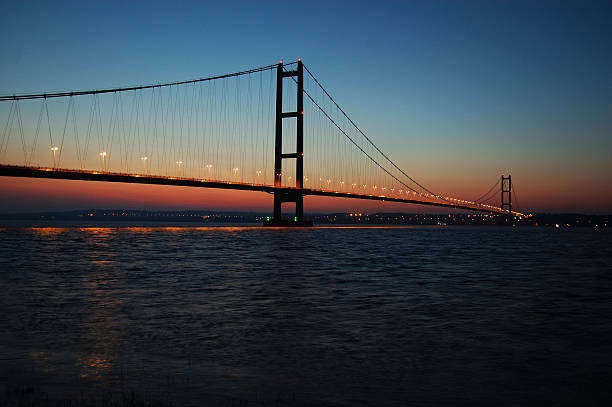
321 316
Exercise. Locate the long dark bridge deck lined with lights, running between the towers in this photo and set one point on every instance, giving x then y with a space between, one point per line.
37 172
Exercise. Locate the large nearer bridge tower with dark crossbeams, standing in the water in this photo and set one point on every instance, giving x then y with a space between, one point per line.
289 195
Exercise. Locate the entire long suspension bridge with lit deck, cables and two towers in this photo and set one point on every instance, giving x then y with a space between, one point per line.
273 129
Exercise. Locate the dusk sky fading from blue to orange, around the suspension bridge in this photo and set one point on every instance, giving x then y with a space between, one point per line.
455 92
